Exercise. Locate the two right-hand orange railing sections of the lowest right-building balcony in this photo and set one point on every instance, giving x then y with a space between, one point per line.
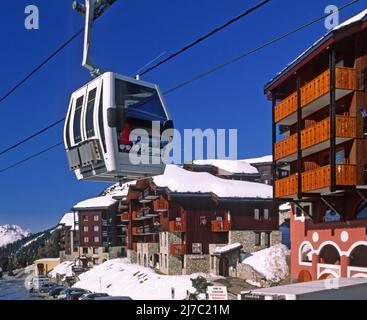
346 175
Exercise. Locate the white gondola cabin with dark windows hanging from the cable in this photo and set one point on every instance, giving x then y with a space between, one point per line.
103 126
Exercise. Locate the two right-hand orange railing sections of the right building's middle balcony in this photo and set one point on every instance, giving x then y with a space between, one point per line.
345 128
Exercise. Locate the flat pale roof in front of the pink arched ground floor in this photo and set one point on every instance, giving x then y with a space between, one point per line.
308 287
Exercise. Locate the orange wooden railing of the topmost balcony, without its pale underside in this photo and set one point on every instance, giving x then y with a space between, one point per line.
345 79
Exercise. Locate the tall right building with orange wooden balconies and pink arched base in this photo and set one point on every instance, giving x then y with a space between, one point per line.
320 110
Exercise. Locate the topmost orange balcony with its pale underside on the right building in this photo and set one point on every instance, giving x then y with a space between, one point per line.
314 95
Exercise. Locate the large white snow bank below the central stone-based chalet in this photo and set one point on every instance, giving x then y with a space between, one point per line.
120 278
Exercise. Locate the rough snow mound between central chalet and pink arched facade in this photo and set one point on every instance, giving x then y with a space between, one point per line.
270 263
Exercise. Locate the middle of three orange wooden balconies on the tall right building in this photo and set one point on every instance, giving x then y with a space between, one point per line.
316 138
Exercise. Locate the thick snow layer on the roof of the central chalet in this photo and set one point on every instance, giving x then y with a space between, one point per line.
177 179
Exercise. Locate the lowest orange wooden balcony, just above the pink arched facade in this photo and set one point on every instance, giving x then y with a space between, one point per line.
316 180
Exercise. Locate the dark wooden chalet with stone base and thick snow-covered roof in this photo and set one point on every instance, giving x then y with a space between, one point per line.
178 222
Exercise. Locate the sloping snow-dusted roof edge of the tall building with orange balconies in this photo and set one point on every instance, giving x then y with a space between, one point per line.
360 17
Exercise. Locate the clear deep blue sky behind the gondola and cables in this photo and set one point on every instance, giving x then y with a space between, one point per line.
131 33
